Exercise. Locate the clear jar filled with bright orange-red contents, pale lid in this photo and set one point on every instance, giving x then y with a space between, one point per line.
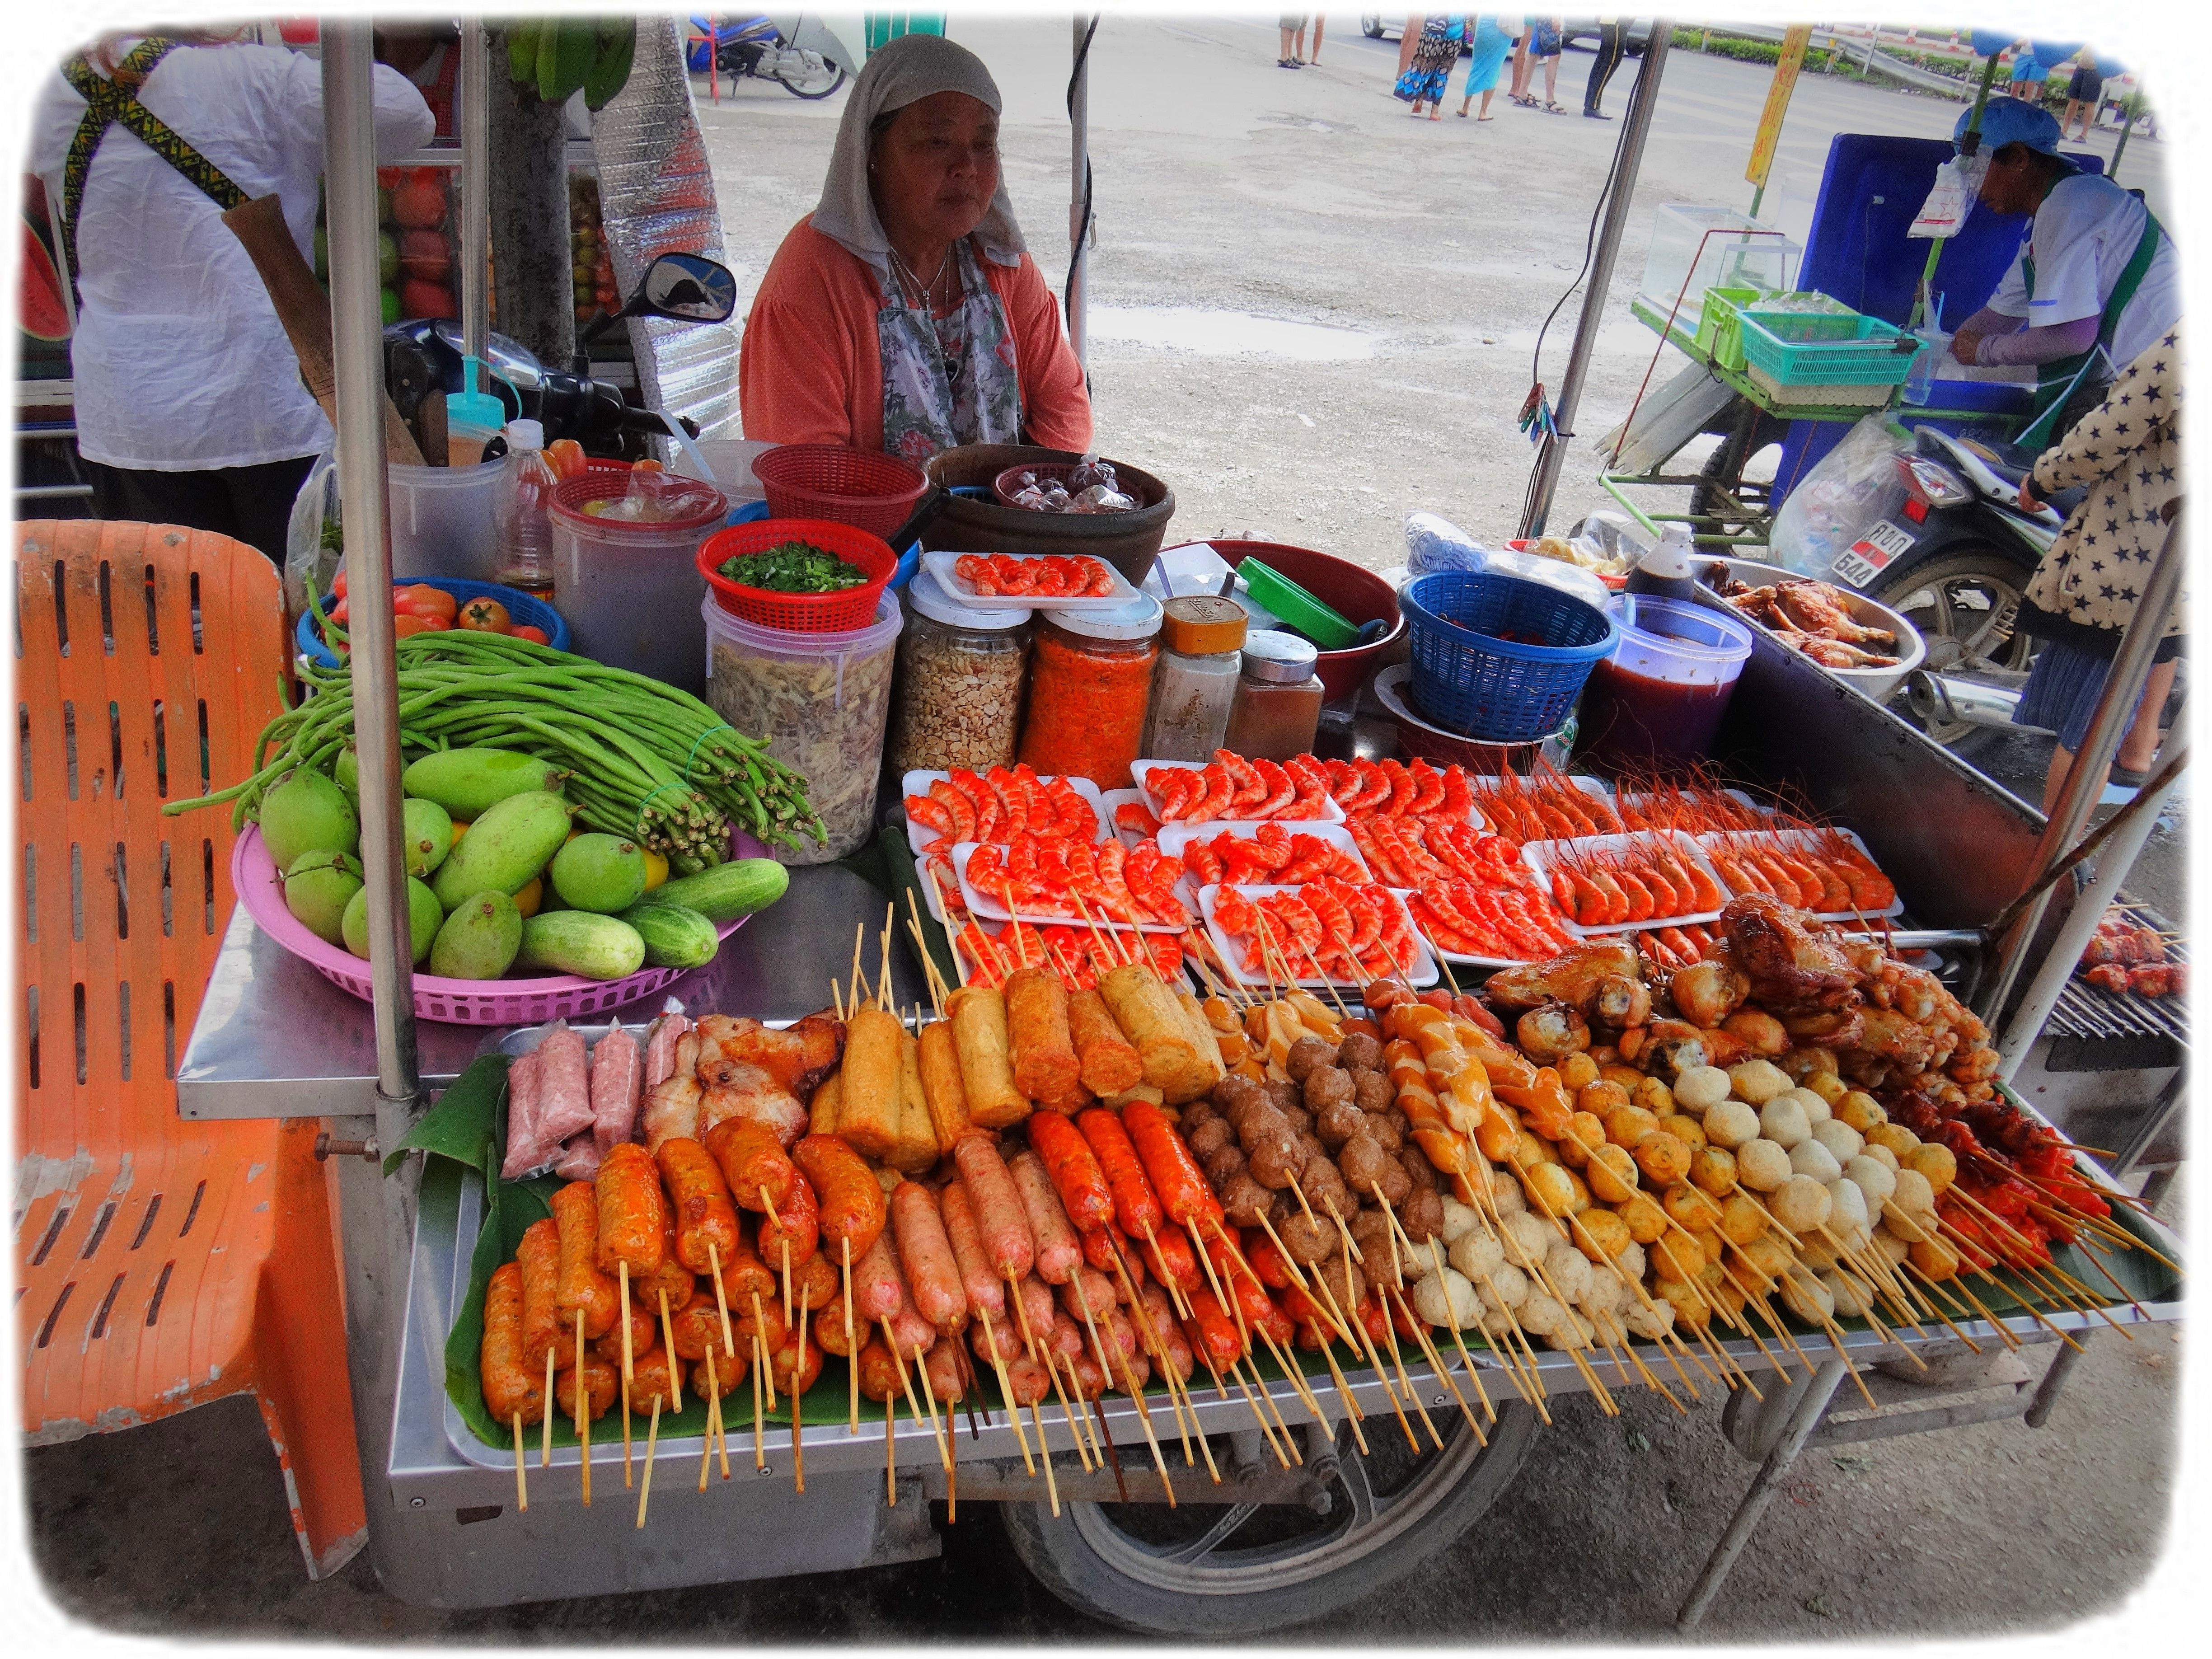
1089 687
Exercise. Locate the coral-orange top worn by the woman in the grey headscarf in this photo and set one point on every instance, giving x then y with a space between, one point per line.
808 371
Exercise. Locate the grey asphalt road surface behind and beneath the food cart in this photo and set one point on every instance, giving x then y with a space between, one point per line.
1412 267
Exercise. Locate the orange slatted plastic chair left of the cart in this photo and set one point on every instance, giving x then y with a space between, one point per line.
160 1264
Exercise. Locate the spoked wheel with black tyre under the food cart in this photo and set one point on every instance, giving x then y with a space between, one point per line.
1246 1569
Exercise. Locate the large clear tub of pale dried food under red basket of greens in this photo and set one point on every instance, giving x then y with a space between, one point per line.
820 702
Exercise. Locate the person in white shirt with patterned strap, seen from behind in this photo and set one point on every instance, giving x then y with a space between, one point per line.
189 399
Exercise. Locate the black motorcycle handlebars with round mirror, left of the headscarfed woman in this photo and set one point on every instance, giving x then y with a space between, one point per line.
428 355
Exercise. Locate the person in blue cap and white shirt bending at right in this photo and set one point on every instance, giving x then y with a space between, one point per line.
2096 282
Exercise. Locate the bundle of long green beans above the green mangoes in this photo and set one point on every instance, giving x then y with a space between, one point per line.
645 760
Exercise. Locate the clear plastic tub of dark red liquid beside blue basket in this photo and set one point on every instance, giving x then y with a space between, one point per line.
1660 698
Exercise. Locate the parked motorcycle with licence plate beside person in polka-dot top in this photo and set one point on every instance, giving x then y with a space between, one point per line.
1957 561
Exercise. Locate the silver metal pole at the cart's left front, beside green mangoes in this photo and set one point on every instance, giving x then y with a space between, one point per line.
357 351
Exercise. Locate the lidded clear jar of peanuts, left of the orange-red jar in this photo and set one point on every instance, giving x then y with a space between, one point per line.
961 678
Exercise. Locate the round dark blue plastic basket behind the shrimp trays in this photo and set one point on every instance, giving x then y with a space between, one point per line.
1501 691
